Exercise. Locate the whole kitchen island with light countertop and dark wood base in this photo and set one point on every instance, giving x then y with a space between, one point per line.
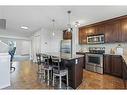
74 63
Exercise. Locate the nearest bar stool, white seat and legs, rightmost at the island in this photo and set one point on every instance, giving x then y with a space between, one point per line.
57 71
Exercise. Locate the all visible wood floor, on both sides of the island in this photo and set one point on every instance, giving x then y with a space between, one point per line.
25 77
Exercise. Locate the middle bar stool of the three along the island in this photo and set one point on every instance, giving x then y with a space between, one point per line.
47 68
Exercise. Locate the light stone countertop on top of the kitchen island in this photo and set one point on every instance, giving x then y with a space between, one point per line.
64 55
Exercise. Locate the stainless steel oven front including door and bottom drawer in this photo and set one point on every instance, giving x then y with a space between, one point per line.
94 62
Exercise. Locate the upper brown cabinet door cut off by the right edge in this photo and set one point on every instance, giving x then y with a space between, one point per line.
124 30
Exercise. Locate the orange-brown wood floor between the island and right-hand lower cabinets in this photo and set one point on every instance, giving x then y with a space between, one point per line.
97 81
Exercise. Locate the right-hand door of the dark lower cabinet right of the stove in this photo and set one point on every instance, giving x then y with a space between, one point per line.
116 68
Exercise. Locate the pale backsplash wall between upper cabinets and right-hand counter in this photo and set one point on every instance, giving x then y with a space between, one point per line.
108 47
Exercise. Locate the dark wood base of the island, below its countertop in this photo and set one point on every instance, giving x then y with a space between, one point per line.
75 71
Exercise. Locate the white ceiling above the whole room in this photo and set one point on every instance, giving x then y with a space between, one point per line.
36 17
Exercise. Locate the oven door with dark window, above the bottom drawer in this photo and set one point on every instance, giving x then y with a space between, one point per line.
94 59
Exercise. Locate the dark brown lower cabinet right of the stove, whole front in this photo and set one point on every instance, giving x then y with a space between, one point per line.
113 65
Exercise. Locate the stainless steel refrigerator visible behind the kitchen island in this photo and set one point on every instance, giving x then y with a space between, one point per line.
66 46
